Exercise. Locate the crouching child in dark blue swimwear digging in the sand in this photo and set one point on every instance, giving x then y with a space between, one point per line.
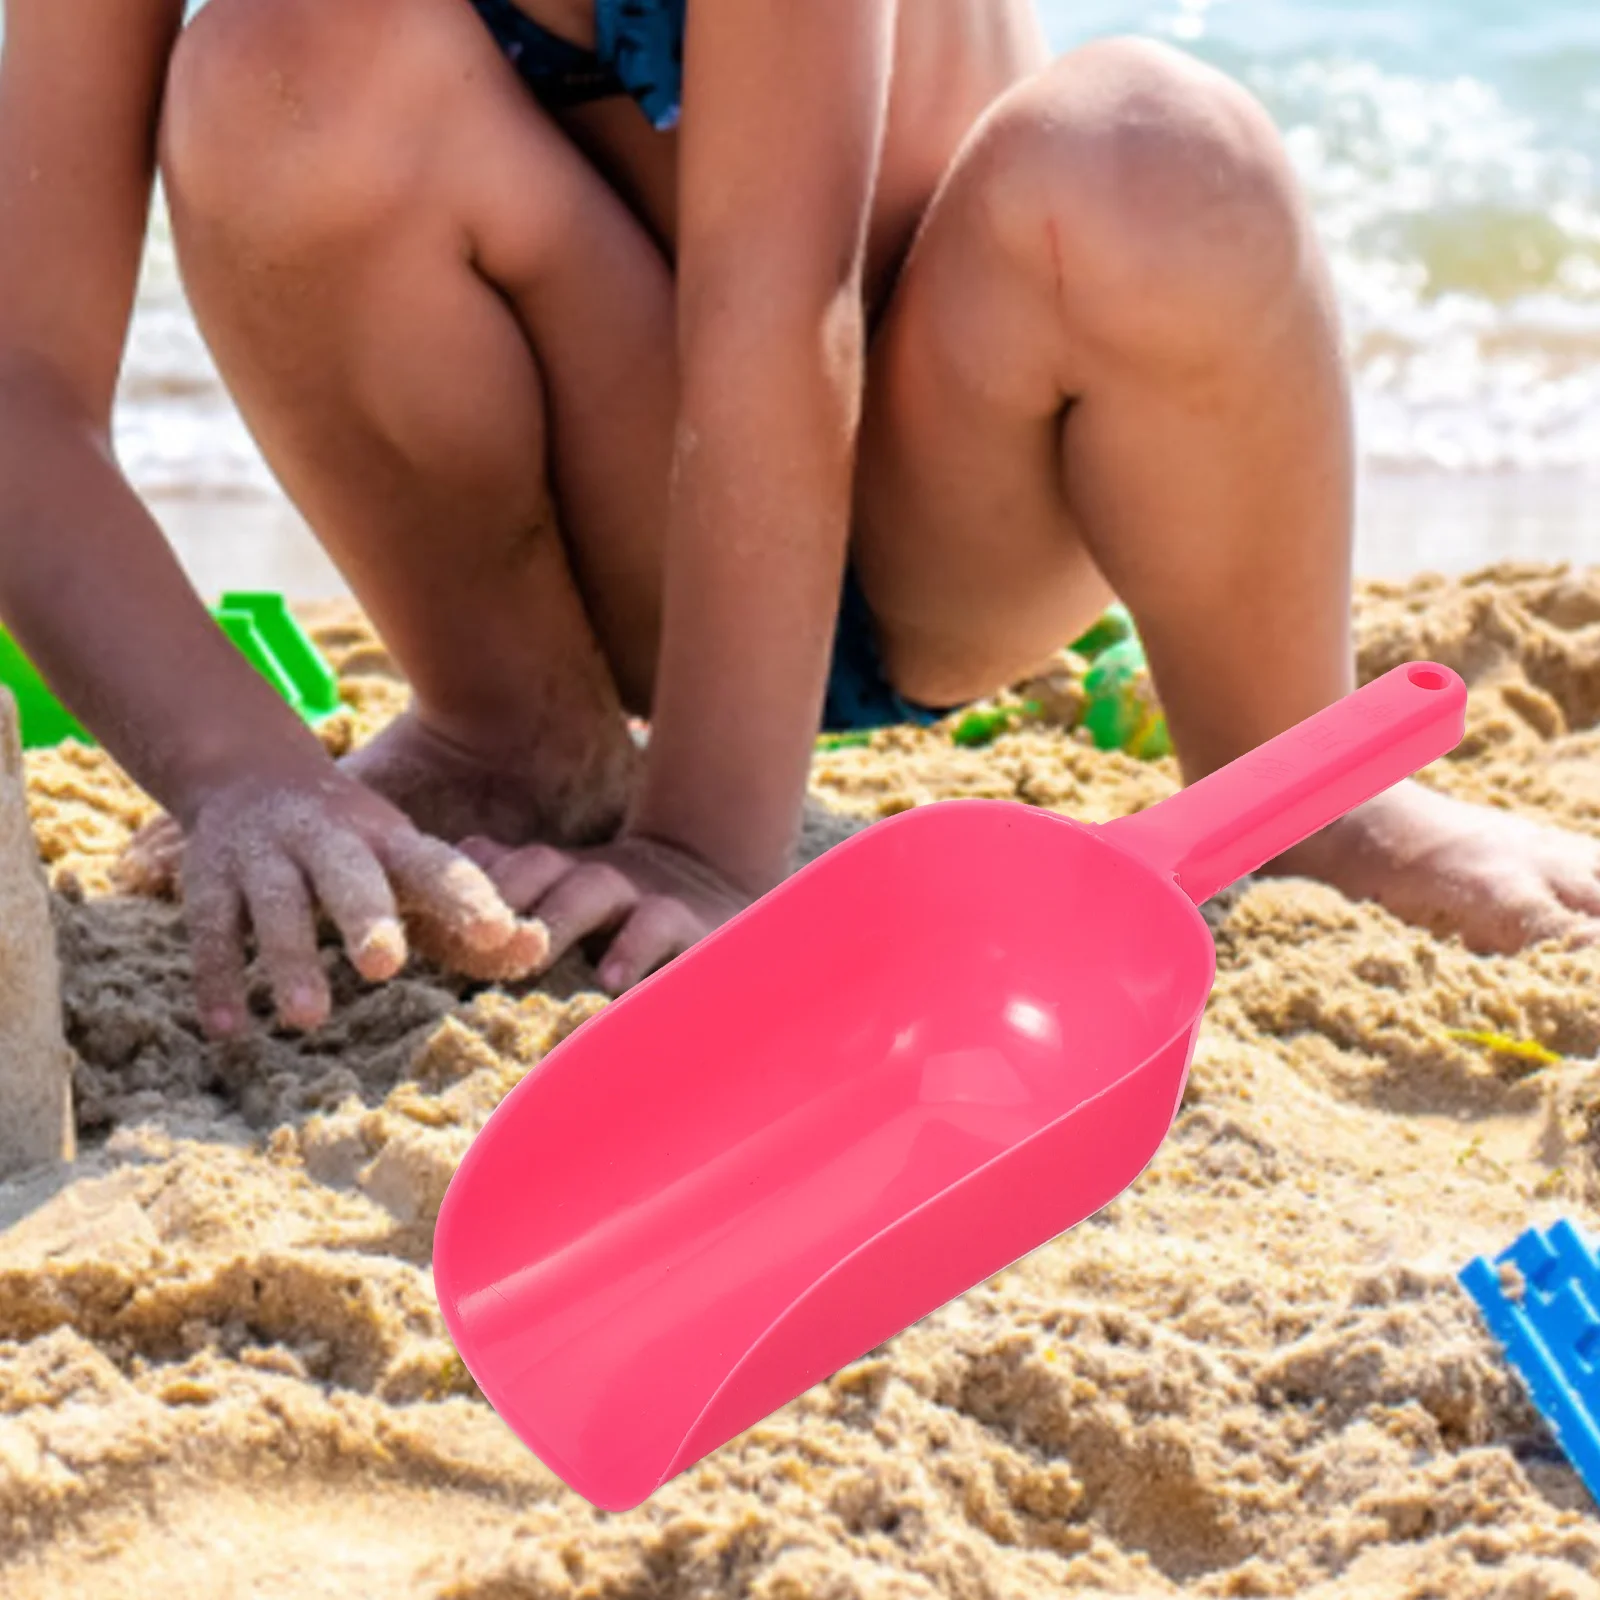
740 364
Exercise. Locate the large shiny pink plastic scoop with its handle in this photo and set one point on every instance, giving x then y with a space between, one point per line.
940 1046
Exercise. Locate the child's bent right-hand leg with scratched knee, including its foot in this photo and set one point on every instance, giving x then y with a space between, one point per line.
1113 366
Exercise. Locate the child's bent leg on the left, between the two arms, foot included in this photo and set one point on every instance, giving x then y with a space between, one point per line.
378 228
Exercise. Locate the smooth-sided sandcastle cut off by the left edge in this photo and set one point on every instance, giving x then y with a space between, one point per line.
36 1062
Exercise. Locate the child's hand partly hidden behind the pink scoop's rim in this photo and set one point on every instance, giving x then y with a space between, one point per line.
652 898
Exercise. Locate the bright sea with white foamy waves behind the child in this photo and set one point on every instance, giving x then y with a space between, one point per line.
1452 156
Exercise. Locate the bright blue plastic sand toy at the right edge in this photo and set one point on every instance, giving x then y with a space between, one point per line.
1551 1330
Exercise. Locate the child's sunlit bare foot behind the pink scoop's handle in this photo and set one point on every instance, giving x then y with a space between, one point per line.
1500 881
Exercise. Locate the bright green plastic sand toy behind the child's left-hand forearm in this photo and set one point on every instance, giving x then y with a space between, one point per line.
263 631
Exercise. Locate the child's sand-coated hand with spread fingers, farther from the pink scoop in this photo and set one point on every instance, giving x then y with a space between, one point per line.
262 857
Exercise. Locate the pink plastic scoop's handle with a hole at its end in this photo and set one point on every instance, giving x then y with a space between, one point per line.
1284 791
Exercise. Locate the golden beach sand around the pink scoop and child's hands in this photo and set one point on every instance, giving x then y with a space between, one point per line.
223 1370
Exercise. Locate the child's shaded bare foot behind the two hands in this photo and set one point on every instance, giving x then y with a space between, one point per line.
513 798
